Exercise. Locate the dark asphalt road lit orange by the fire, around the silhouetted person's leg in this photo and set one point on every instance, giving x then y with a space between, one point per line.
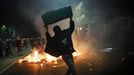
101 63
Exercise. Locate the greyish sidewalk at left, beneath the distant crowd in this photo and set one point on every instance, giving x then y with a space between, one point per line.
8 61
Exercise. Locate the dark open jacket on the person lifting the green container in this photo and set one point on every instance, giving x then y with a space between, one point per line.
61 43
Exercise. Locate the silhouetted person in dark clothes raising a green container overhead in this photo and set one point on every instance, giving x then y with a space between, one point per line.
61 44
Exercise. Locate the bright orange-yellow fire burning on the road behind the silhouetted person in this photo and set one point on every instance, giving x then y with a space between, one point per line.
37 55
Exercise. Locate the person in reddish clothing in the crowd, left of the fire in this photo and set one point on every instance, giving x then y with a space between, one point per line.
19 45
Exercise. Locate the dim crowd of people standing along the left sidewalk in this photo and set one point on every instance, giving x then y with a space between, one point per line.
10 47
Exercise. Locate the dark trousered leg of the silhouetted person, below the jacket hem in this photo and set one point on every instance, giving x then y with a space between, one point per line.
69 61
